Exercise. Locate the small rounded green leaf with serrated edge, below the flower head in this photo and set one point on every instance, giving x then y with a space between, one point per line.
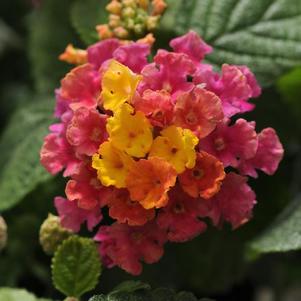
76 266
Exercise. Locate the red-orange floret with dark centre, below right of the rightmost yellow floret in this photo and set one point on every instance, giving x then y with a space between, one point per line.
205 178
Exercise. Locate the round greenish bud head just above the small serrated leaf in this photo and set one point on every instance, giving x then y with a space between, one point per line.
52 234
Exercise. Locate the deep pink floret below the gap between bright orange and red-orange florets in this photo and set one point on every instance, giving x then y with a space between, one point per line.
180 217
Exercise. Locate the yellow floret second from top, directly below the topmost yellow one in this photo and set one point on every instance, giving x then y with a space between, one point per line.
130 132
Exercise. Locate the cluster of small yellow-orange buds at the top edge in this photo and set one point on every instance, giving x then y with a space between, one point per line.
131 18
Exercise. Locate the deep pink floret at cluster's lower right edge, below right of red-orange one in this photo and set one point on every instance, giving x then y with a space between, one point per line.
233 203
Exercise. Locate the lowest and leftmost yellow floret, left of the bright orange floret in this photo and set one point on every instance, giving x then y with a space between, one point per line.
112 165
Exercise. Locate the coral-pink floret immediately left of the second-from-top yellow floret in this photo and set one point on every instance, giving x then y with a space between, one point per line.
87 130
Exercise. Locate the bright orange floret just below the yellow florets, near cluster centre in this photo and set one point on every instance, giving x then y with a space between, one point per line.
148 182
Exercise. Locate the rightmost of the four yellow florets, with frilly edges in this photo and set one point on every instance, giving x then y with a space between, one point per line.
176 146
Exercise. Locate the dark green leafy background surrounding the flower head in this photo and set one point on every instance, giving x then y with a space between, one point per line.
222 264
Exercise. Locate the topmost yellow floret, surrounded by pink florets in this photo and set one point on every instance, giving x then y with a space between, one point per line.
119 84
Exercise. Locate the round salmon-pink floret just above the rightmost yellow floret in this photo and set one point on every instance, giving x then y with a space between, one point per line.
198 110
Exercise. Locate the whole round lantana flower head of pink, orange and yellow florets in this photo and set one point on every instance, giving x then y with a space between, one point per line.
158 146
